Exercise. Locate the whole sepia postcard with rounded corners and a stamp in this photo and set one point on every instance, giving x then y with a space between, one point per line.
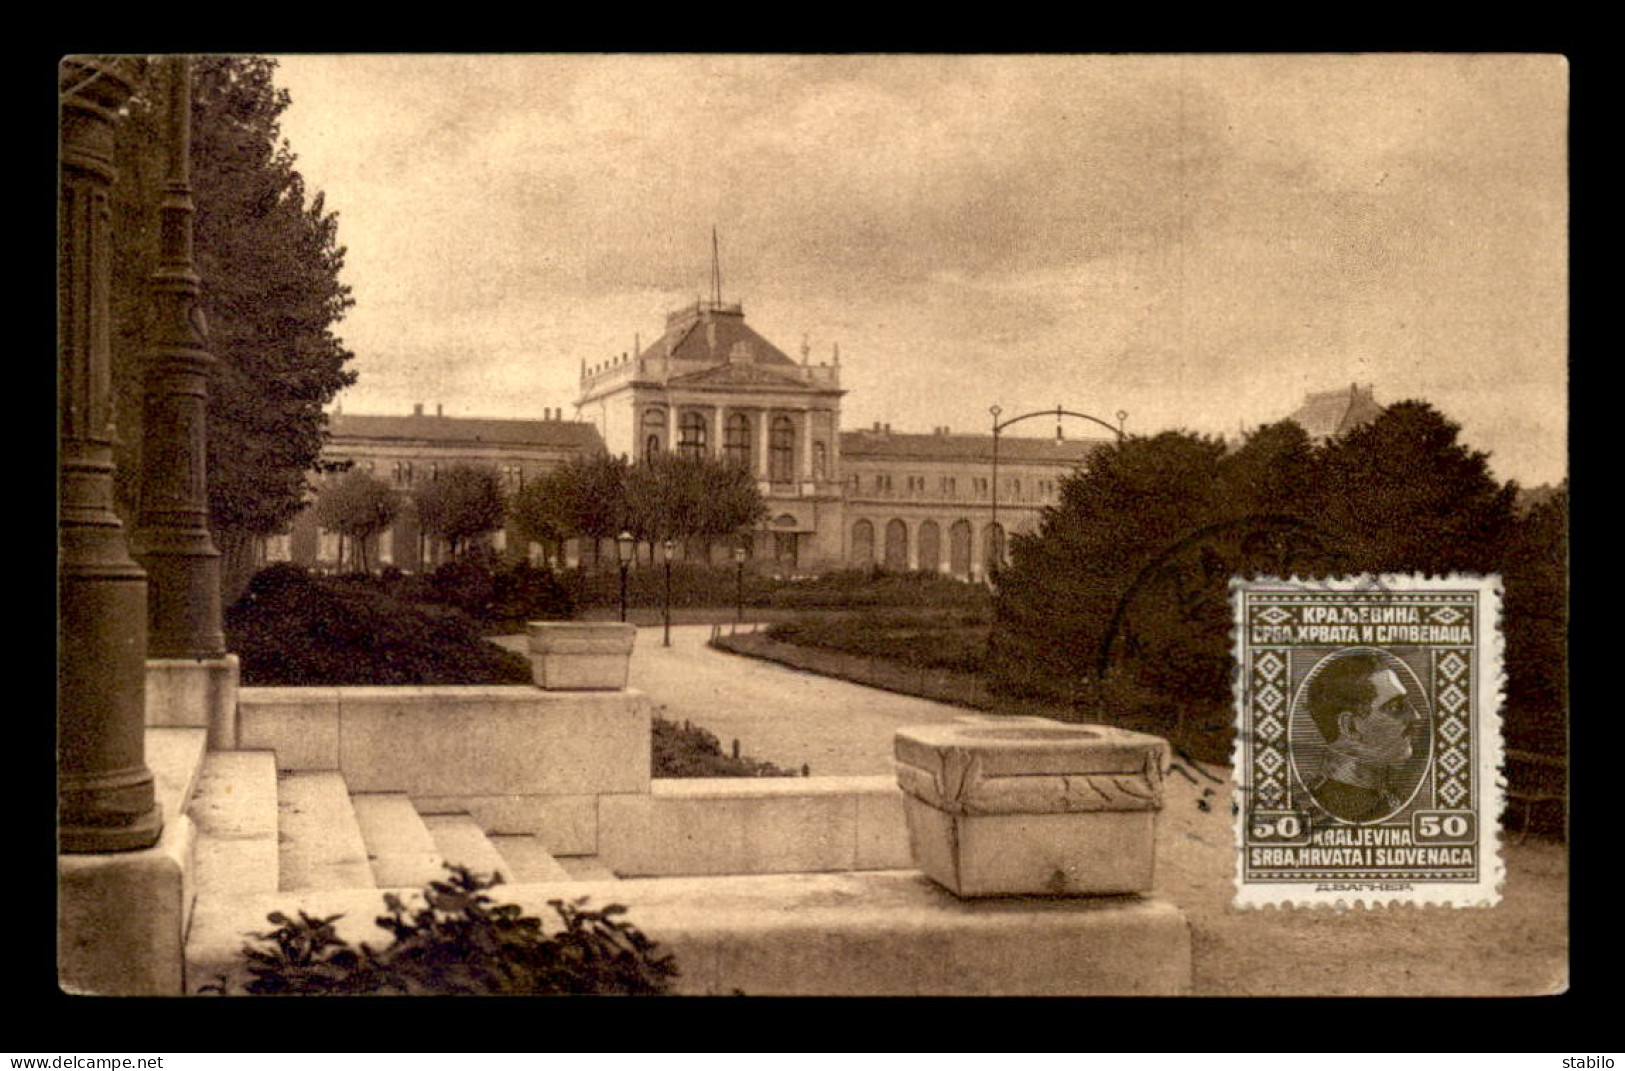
813 526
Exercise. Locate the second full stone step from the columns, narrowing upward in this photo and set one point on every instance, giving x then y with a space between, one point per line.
321 839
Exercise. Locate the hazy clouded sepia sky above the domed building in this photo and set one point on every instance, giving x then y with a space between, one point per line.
1197 241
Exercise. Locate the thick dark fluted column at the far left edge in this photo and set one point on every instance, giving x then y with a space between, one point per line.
105 789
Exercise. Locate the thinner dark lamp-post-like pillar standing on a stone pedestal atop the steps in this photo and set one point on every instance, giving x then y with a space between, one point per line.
171 539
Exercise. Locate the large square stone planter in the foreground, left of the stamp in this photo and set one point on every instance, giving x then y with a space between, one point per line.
1033 809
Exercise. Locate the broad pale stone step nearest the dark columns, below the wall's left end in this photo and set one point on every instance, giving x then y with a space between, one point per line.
235 812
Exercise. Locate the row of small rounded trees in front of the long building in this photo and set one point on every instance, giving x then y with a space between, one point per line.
589 498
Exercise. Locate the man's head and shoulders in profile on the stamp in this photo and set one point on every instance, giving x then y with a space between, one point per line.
1369 722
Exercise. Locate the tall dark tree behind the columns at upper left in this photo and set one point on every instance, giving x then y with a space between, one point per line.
269 261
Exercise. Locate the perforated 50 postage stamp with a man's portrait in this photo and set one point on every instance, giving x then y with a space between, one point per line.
1369 742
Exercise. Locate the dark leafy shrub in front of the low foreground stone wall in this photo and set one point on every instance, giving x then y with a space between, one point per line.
459 943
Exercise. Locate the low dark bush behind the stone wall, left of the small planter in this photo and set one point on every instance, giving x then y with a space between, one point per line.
298 630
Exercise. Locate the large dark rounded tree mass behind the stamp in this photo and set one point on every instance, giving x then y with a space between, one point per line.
1124 589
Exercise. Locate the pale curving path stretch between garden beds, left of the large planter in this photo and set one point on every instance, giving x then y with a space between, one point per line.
778 714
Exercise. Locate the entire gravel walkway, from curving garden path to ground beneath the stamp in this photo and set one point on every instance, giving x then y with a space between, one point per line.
1517 948
